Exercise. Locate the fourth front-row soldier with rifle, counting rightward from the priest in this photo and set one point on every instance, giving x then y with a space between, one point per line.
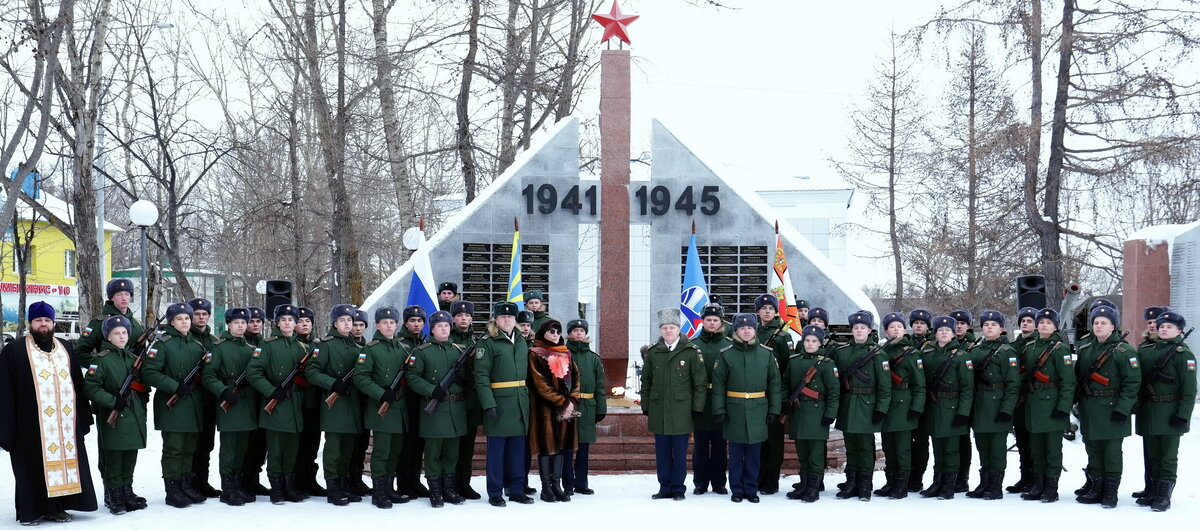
271 365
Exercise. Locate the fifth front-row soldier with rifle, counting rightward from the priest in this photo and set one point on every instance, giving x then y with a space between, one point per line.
334 360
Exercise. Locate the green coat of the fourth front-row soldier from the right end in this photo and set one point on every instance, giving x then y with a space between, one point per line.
1003 369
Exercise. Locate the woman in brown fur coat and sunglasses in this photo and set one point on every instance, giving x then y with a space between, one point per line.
554 402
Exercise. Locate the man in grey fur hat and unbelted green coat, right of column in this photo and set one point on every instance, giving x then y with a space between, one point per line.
674 386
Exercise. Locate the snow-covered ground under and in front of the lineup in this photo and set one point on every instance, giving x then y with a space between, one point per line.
625 502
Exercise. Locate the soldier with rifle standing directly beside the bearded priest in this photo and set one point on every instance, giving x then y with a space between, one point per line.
119 443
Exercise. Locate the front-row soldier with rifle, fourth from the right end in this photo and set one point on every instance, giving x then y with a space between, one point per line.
998 382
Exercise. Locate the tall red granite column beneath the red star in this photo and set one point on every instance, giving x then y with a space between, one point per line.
614 309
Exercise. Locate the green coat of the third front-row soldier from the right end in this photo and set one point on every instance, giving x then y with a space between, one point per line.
1057 395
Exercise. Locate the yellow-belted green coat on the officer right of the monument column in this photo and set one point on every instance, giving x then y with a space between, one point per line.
746 369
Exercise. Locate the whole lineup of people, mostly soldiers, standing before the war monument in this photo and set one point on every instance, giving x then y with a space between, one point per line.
740 389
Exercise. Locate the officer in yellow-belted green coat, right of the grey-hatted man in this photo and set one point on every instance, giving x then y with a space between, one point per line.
747 399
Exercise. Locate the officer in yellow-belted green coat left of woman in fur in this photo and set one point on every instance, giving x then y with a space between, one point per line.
502 366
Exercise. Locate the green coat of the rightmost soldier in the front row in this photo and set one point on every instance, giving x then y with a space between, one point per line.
1154 418
